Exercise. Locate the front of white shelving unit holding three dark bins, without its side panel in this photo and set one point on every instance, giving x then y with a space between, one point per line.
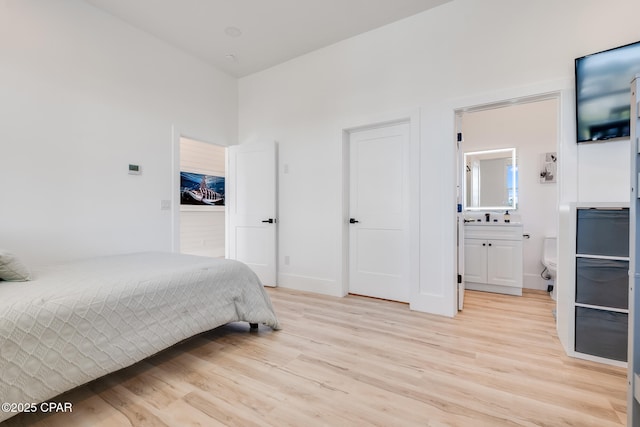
601 305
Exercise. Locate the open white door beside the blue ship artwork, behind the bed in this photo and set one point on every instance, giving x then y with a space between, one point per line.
251 195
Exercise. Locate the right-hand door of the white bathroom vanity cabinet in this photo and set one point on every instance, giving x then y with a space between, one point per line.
504 263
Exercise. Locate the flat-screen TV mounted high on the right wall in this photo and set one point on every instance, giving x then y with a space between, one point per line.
603 95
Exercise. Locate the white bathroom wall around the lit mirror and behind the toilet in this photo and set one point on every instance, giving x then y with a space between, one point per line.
531 128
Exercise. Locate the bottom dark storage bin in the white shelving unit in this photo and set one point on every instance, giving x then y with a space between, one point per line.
601 333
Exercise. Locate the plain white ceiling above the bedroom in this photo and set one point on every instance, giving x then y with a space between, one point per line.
242 37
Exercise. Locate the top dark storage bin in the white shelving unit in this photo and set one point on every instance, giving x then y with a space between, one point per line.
603 232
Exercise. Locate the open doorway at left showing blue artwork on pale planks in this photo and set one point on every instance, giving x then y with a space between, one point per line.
202 198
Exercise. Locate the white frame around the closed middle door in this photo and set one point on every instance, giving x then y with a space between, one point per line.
412 117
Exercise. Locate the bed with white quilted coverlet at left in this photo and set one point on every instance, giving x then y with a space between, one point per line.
76 322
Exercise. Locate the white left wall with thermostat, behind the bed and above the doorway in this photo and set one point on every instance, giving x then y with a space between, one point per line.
82 95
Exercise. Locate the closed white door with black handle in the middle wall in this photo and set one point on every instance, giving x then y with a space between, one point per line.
379 212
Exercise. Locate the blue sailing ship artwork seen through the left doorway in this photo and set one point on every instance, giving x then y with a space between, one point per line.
199 189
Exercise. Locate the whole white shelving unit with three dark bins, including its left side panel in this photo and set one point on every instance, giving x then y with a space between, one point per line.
592 307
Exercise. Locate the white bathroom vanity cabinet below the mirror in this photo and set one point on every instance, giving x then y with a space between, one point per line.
493 257
